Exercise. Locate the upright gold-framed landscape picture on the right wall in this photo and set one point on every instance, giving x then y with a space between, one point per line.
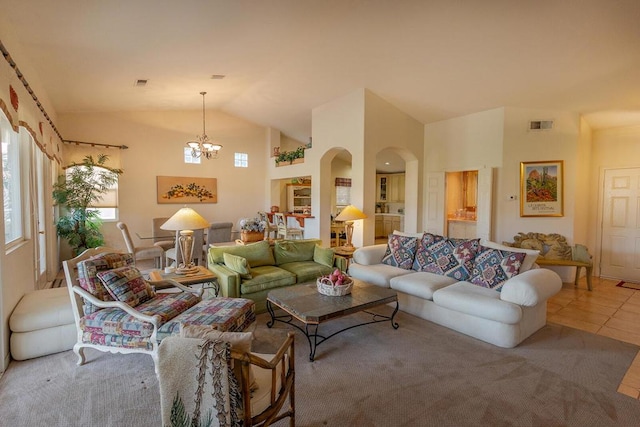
541 188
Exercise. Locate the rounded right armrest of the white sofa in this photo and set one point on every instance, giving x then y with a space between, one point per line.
531 287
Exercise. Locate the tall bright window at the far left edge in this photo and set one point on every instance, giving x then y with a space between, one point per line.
13 230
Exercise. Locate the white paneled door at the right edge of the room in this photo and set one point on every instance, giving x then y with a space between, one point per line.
620 250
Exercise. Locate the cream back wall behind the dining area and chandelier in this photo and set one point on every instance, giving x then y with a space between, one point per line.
156 141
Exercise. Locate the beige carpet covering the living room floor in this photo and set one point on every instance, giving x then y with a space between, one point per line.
420 374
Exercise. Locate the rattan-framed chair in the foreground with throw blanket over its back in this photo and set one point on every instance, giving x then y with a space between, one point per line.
191 371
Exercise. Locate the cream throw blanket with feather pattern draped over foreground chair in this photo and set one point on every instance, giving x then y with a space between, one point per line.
197 385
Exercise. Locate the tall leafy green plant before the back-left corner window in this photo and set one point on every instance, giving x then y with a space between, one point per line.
76 192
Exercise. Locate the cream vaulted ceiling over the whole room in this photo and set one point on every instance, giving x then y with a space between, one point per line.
433 59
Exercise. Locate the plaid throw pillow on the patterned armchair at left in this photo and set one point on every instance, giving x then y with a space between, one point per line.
127 285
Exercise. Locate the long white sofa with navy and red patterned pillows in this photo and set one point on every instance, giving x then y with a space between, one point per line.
504 316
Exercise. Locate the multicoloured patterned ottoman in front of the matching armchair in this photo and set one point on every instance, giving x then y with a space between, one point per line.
224 314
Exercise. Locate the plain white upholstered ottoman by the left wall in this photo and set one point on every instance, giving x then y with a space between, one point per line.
42 323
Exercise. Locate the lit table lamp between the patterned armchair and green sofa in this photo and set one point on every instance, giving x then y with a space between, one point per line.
185 221
